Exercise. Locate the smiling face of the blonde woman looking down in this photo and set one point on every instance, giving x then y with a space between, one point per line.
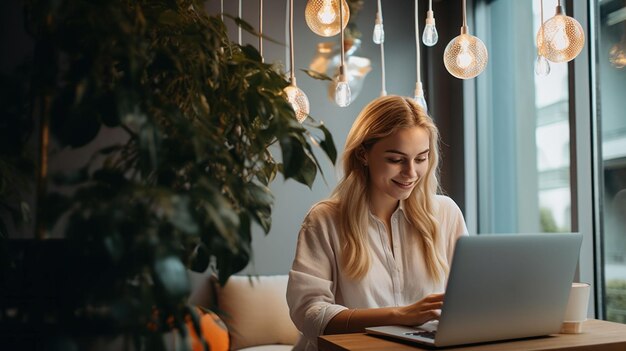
395 165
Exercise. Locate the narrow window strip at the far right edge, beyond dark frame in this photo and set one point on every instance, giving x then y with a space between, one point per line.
611 77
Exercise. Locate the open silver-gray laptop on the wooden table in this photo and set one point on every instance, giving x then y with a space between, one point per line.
500 287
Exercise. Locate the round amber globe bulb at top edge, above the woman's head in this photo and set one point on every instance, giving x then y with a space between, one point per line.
322 16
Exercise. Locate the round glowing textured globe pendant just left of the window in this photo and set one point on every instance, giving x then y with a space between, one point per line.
465 56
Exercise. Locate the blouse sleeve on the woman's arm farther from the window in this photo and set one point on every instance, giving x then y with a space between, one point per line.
312 278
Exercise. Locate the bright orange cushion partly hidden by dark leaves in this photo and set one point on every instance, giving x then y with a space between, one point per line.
214 332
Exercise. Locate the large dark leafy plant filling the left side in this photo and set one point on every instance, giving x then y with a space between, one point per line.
199 116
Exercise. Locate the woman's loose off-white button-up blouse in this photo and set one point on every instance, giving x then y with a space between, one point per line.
318 289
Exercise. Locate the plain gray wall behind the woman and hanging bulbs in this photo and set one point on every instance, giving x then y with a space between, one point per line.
273 253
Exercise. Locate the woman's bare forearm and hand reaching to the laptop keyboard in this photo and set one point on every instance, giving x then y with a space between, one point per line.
356 320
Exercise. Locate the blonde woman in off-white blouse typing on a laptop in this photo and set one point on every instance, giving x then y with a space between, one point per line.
377 252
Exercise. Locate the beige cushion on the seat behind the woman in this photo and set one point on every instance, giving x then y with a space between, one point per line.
255 310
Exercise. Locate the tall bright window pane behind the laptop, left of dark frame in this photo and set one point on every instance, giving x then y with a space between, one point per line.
522 127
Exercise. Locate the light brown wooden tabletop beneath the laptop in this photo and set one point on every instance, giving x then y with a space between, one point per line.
597 335
